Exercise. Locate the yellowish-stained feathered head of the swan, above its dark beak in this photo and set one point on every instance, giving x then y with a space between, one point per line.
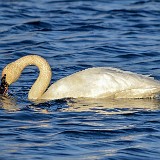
12 73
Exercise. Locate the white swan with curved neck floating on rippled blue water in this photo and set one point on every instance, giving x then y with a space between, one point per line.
98 82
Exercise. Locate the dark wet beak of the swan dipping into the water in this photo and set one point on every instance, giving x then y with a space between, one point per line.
4 85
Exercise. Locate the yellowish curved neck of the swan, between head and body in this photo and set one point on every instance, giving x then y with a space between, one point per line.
44 77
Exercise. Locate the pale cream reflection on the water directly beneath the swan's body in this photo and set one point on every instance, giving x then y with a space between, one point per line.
105 106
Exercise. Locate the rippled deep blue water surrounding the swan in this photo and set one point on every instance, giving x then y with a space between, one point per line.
74 35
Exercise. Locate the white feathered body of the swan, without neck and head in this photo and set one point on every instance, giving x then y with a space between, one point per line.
104 82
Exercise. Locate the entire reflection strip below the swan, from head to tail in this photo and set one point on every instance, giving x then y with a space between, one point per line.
105 106
